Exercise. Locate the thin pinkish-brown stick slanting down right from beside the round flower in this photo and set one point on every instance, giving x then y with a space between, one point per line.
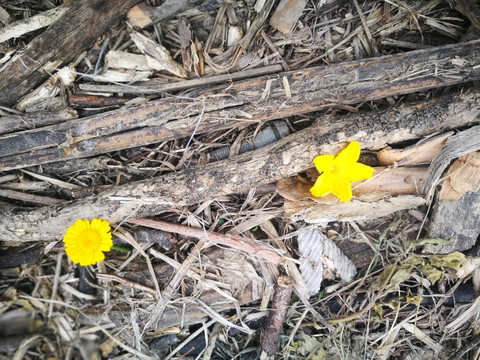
253 248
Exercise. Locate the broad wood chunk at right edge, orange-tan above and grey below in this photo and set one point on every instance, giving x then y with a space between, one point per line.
459 198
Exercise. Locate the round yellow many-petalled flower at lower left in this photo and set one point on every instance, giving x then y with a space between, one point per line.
85 241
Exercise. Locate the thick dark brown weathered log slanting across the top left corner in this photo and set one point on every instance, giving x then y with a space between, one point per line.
74 32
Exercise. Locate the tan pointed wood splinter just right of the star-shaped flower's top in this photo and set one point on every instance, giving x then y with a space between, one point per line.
421 153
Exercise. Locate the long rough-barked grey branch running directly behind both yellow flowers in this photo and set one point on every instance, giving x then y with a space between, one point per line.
284 158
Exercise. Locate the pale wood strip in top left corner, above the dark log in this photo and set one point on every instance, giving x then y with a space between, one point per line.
21 27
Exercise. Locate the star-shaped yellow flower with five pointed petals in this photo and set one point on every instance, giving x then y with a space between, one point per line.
337 172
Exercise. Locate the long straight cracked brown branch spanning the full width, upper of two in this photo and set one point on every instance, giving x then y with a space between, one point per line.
251 100
